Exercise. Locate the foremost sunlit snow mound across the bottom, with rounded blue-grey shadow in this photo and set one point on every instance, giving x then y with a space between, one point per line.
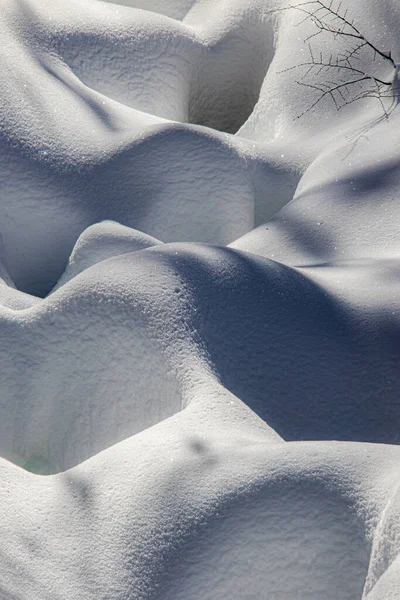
153 515
